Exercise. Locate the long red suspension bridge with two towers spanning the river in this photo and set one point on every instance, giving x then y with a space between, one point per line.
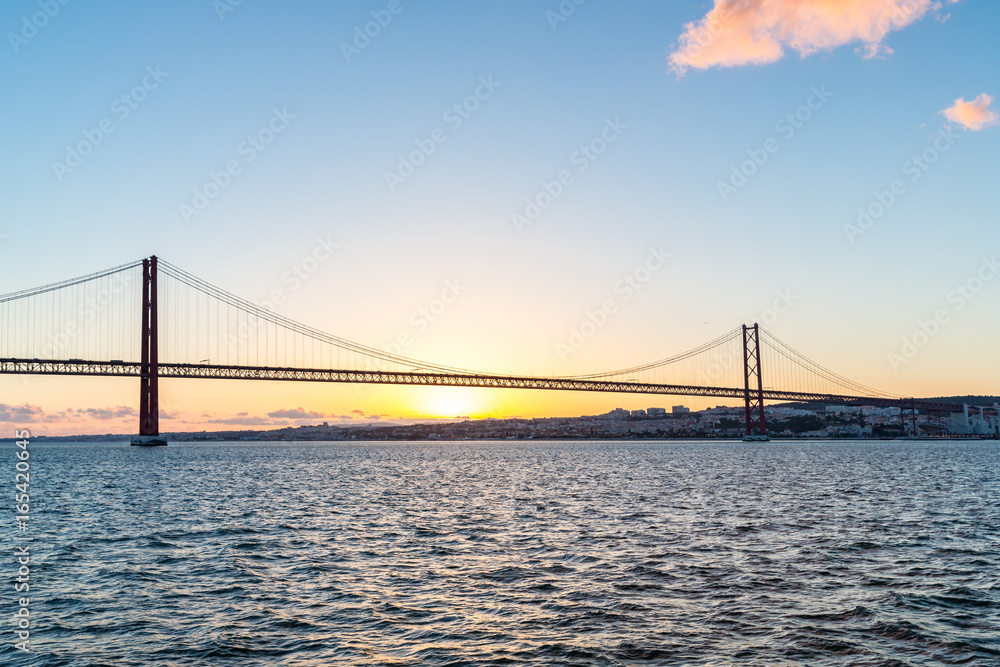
150 319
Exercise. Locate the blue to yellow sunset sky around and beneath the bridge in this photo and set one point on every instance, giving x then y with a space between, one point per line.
826 168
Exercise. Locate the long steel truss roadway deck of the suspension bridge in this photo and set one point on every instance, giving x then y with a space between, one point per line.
226 372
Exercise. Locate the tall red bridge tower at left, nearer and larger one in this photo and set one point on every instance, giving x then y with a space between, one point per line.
149 400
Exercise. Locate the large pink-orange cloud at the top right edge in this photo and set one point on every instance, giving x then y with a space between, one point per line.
757 32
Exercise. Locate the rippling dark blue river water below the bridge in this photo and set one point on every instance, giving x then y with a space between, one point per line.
596 553
